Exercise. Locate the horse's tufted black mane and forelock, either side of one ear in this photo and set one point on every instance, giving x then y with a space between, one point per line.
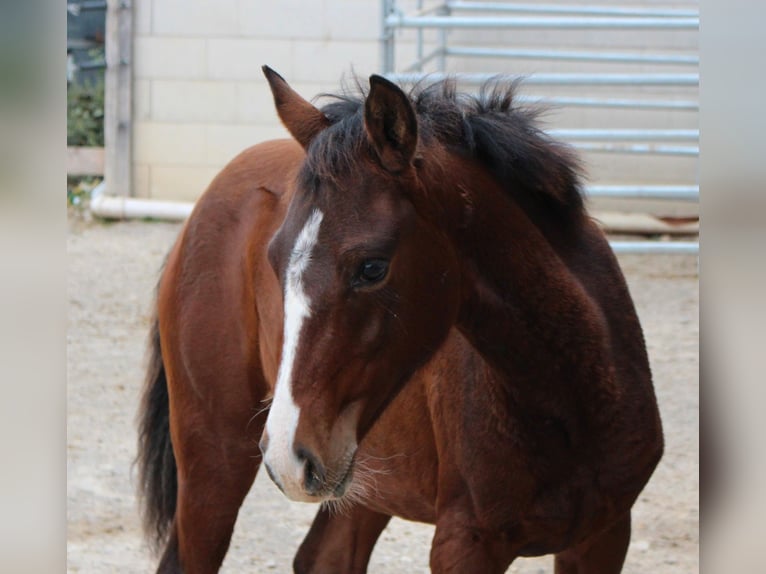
536 170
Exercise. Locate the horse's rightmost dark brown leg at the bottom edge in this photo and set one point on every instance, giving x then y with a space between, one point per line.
603 553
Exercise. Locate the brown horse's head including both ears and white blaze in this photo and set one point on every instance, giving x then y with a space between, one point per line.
371 285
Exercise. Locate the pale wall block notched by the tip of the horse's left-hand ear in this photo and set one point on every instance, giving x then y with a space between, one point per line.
242 58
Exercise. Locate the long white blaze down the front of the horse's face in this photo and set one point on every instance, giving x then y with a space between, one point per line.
284 413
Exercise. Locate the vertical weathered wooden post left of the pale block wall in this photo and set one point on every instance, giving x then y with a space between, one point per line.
118 104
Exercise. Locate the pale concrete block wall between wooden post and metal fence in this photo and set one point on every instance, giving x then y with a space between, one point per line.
199 95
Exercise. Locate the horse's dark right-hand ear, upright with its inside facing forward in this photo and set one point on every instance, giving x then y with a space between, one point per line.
390 122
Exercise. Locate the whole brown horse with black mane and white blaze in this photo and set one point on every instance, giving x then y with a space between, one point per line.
445 335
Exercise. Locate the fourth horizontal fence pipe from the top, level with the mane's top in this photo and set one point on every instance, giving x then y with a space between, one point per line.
565 79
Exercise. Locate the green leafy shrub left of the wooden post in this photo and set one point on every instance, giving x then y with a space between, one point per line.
85 115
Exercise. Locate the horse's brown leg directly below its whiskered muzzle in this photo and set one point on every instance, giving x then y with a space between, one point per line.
340 543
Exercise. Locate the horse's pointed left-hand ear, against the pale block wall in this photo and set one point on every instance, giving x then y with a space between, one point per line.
301 118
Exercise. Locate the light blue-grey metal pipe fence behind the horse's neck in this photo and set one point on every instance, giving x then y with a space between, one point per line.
462 14
